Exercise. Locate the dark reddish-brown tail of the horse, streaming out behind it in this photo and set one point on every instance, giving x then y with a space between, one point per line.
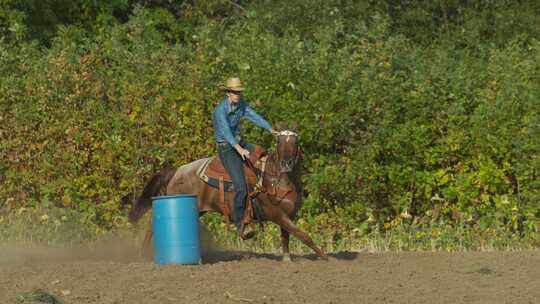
152 188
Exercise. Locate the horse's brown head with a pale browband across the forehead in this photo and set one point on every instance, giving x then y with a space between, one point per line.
287 150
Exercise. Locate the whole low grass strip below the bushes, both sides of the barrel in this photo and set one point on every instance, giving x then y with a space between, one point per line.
56 227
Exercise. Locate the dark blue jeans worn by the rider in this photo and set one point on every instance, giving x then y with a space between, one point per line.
233 163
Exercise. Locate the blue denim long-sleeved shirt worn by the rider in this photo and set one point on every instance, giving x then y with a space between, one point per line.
226 120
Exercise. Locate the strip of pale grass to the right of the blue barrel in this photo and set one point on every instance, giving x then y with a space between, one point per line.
430 237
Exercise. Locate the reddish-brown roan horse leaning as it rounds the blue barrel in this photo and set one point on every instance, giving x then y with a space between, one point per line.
279 193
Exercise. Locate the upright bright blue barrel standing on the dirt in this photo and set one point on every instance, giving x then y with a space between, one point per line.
175 221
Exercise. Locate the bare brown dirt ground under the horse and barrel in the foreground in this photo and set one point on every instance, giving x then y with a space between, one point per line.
118 275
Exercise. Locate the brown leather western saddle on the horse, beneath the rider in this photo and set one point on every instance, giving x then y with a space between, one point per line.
214 174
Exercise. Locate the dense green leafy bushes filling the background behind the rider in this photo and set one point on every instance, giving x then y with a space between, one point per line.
412 115
